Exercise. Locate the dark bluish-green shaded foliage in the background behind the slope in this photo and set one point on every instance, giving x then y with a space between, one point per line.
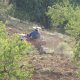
33 10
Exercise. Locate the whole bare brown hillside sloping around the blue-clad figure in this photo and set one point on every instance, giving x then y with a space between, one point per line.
55 65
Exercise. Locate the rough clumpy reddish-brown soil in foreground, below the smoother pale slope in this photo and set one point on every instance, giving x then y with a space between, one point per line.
56 67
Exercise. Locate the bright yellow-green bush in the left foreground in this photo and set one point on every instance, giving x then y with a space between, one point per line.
11 53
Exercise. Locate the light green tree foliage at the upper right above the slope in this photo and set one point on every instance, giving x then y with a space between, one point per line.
66 11
